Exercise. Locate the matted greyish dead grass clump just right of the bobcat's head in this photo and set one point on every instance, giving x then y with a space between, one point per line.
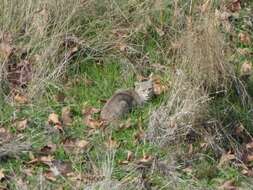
184 109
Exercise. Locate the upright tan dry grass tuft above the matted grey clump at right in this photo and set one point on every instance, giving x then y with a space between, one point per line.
204 54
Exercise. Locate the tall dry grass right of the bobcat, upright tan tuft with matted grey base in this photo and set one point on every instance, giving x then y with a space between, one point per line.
202 69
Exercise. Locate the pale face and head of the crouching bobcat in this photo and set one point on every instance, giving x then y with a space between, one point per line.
145 90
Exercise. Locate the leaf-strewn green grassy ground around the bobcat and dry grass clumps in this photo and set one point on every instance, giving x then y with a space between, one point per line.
120 44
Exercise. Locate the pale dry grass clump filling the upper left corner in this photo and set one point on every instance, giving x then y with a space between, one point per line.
37 29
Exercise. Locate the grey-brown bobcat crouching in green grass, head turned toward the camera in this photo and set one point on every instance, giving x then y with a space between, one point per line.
123 101
